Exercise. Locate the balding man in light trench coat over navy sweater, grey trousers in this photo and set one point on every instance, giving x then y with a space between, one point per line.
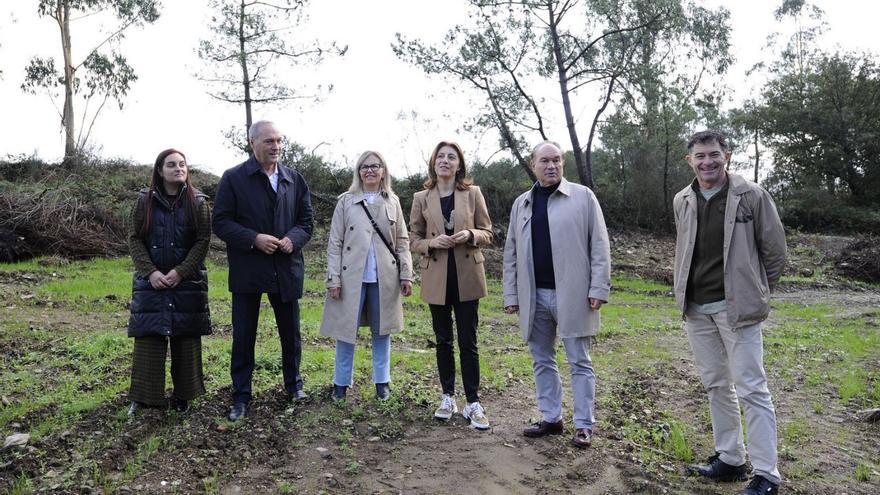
557 275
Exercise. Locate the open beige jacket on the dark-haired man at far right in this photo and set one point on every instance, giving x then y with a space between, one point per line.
754 249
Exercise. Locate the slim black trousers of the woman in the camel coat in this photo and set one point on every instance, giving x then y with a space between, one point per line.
466 325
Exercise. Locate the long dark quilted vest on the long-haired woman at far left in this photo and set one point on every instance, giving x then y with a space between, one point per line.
183 310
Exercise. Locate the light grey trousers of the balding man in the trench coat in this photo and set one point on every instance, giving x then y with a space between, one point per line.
542 345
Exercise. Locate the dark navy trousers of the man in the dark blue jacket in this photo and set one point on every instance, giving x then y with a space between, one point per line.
245 315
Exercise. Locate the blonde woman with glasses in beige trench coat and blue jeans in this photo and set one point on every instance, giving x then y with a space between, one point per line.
367 272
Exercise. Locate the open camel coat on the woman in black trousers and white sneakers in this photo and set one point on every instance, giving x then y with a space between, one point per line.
426 223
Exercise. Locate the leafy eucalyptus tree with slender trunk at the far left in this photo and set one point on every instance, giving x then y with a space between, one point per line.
97 76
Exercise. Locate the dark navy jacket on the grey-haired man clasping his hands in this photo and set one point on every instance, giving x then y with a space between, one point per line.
245 206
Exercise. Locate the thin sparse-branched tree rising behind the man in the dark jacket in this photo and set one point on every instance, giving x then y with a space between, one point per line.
252 53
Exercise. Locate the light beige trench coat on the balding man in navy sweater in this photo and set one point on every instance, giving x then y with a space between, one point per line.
581 259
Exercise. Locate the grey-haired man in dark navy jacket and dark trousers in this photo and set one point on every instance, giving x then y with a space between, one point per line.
263 212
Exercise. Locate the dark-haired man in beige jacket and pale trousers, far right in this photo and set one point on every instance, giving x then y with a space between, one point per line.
729 254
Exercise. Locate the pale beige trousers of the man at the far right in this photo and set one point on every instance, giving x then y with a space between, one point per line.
731 364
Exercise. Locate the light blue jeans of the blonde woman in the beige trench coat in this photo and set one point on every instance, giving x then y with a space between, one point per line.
343 371
